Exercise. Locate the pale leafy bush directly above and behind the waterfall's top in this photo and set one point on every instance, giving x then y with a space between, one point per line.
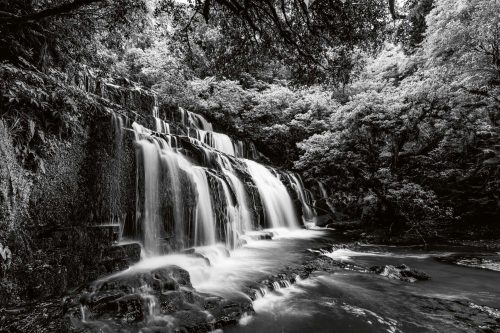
274 116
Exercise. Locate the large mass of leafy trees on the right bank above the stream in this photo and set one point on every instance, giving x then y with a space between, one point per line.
418 132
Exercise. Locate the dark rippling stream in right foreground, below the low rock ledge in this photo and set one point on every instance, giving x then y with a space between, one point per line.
455 299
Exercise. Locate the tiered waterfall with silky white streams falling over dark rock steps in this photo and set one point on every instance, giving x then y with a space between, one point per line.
195 187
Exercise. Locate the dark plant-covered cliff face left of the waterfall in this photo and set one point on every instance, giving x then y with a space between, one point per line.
61 183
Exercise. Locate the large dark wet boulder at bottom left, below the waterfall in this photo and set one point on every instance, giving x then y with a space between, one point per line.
153 301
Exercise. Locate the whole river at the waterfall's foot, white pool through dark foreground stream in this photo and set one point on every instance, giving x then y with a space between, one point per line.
456 298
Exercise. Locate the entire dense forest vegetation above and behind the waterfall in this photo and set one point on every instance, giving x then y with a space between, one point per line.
394 111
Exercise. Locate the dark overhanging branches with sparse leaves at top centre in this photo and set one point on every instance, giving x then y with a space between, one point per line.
307 42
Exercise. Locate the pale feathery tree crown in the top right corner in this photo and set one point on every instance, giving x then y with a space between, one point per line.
465 34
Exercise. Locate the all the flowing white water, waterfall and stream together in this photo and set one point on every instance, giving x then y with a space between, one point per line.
198 191
